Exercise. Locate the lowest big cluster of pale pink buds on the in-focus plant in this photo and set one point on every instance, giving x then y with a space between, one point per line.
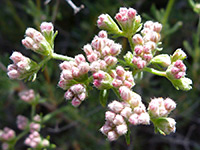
119 113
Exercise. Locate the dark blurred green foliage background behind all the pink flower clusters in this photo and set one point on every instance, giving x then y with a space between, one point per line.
78 128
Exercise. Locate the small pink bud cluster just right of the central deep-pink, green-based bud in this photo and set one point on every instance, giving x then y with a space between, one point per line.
122 78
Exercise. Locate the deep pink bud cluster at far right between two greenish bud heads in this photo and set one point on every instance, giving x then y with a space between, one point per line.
176 70
